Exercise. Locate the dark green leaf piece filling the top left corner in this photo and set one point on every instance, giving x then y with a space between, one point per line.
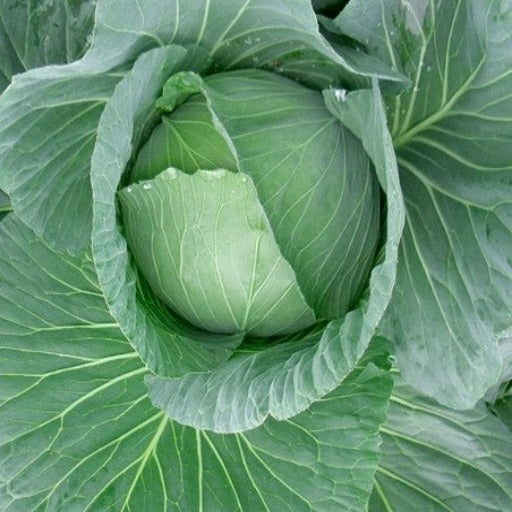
35 33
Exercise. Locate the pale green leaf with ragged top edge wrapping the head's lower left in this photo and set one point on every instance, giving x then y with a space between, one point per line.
205 245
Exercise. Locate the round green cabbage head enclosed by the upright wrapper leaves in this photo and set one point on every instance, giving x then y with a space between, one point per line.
267 238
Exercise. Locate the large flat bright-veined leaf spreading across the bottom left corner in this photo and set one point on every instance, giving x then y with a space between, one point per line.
78 432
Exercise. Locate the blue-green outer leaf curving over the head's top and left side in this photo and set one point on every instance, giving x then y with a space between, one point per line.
249 33
